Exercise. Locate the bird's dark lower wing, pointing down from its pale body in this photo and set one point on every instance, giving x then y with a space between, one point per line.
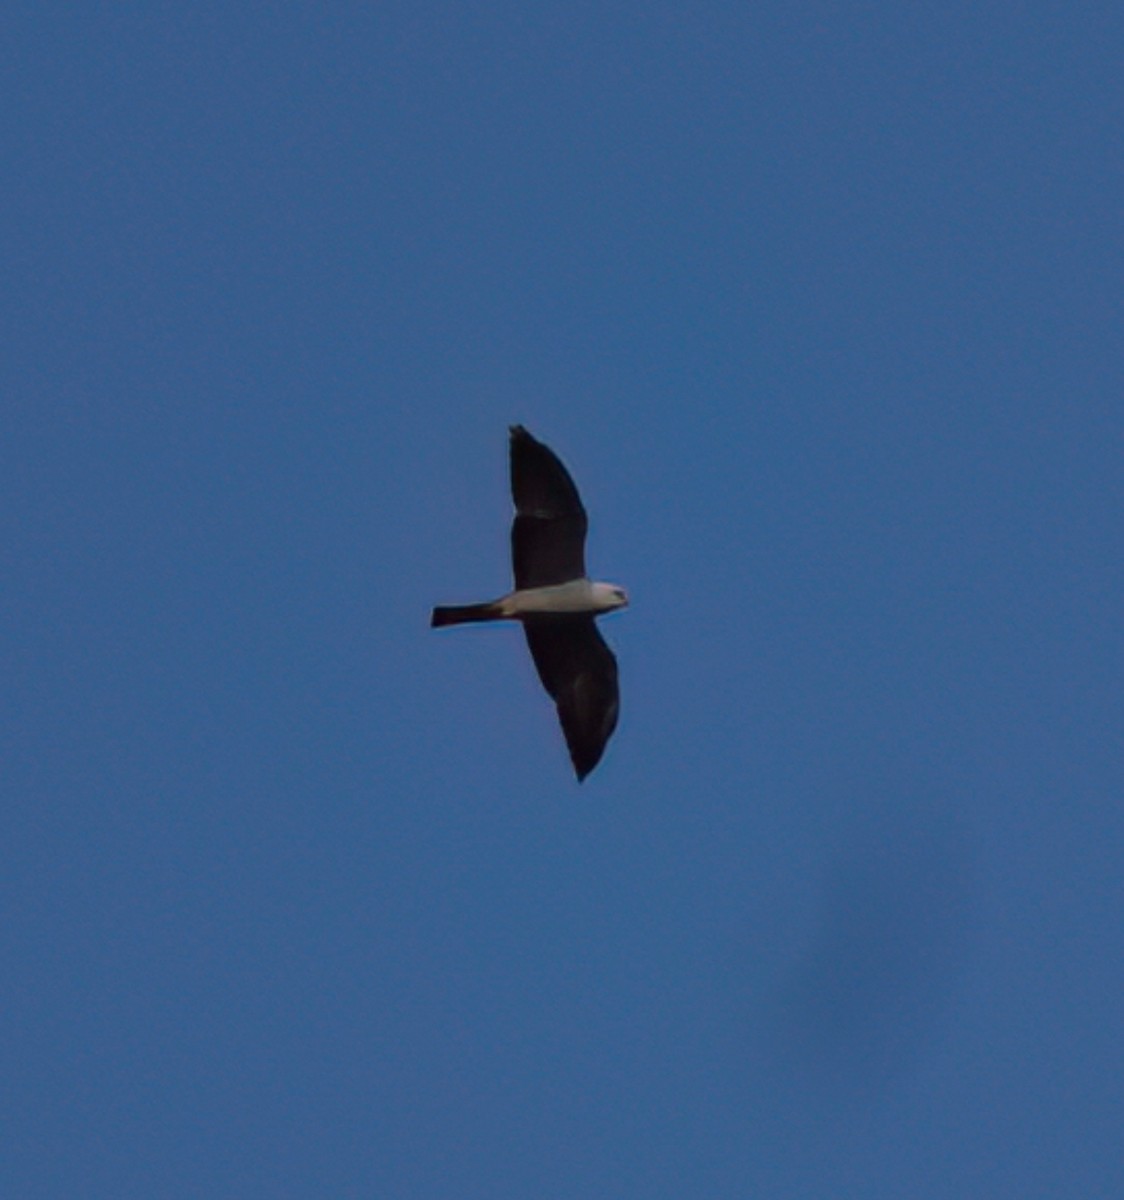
580 673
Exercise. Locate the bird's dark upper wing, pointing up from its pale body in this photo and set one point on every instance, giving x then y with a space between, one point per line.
549 533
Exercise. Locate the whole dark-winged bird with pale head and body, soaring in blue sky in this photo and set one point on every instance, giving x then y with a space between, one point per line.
556 601
